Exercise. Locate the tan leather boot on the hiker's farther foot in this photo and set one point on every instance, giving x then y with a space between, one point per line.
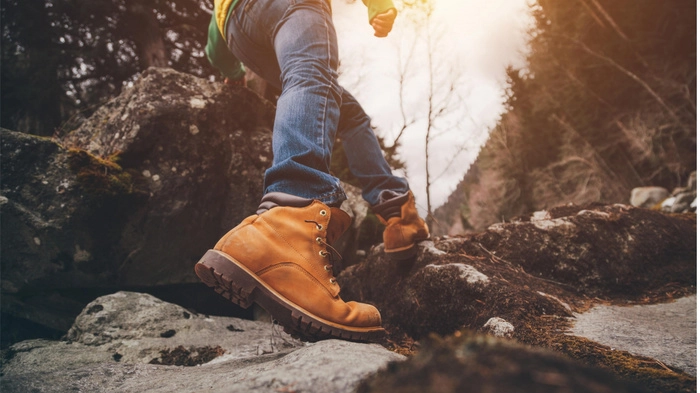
404 228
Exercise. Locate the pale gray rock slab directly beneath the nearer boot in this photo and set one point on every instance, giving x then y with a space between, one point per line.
130 342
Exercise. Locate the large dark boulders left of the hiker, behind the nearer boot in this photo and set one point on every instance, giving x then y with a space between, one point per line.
133 198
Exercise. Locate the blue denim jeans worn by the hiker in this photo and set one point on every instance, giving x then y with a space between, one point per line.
292 45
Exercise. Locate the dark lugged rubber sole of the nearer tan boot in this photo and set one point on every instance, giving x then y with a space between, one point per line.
239 285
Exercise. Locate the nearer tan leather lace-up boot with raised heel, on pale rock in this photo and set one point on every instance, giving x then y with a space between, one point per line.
280 259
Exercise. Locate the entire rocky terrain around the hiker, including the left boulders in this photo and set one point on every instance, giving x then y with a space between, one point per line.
561 300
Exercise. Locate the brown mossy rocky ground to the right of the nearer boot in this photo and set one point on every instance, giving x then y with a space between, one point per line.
529 279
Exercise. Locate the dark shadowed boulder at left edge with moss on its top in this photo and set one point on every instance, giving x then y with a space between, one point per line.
61 212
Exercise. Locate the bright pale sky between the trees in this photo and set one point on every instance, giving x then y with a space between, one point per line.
481 38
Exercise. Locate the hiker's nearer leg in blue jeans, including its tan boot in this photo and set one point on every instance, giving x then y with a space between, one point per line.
280 257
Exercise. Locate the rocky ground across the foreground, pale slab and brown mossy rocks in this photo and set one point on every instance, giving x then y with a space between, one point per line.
469 320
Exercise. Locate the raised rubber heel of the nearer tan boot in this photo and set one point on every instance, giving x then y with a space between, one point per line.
219 272
